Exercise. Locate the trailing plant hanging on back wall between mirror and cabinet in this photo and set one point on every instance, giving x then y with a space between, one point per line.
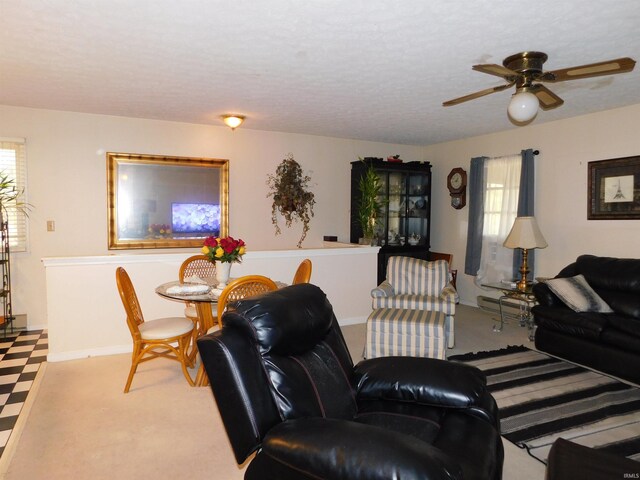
291 197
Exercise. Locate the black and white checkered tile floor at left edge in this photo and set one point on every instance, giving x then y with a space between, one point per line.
21 354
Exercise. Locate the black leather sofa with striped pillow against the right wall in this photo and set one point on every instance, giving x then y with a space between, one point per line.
609 342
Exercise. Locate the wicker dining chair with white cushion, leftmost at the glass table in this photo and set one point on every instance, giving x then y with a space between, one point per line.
168 337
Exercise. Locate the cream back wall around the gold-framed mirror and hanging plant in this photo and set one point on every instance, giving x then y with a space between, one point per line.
67 183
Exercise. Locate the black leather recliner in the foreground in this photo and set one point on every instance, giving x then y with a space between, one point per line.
287 388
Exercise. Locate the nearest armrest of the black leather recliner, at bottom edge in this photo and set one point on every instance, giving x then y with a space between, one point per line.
334 448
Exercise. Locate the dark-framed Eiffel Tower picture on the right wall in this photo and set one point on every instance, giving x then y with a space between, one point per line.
614 189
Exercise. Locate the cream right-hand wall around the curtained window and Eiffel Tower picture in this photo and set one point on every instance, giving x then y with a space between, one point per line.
566 146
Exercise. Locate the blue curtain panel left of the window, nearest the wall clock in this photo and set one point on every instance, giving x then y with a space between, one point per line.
476 216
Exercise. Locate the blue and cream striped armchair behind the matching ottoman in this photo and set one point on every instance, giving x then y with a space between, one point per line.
414 284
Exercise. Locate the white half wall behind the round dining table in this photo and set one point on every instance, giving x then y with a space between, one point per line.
86 316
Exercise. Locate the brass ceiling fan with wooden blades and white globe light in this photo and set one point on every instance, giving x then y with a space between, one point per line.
524 70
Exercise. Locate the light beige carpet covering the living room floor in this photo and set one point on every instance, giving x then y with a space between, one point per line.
81 425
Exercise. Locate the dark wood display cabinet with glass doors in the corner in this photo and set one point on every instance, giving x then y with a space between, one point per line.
404 225
